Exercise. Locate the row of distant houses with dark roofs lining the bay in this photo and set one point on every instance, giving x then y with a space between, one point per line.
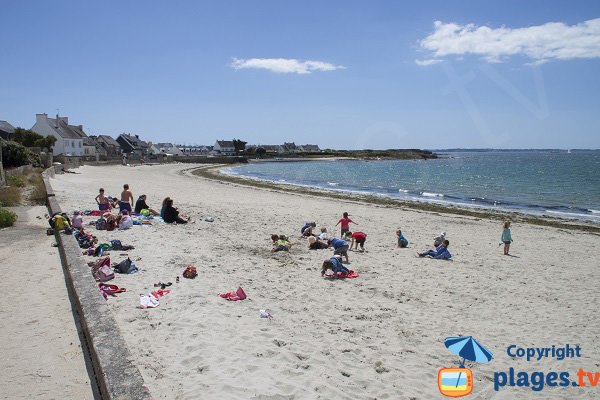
71 140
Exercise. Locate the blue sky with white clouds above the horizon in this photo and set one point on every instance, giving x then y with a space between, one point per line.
340 74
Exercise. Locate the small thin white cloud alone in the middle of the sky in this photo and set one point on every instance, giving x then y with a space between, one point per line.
284 65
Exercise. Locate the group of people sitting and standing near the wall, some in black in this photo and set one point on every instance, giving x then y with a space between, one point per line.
168 212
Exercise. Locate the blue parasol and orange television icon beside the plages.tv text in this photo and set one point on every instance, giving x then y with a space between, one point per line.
458 382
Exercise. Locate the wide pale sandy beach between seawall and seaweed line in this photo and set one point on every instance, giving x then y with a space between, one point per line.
378 336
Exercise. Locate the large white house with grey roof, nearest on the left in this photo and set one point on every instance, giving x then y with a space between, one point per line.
69 142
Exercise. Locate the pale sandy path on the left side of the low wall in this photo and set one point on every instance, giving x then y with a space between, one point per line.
41 352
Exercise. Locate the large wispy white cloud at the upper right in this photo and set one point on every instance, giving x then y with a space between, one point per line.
542 43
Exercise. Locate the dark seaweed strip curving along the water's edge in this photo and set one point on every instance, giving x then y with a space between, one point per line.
214 172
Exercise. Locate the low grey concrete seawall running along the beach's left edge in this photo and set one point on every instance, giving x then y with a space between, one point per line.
116 374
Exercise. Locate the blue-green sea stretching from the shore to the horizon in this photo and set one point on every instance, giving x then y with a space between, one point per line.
557 183
